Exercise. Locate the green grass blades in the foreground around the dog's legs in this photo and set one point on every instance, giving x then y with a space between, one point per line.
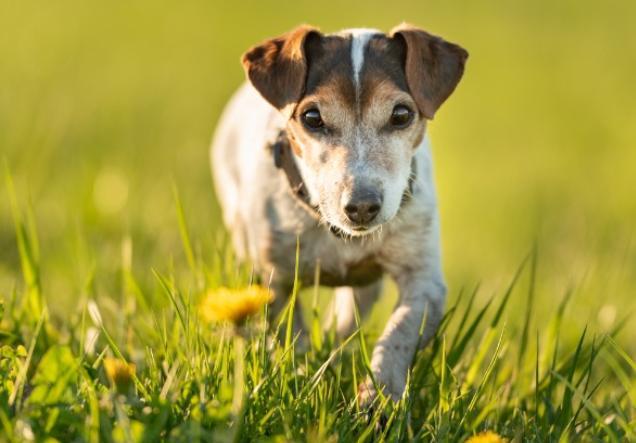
197 382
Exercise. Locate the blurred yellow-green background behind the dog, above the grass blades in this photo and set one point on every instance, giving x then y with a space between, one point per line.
104 105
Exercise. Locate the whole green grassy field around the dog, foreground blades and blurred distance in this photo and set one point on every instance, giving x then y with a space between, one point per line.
110 234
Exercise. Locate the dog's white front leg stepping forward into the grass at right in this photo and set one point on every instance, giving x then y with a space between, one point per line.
421 300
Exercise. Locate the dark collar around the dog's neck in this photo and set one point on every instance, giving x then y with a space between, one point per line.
284 159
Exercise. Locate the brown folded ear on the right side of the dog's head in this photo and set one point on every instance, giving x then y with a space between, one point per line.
433 67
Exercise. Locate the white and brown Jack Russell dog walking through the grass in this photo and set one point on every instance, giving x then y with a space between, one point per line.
326 144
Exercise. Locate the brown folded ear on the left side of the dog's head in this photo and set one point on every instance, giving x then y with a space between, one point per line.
278 67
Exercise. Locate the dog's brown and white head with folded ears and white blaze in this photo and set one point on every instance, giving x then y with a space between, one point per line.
356 105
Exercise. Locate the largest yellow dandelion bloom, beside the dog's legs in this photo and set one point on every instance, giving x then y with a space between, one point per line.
233 305
